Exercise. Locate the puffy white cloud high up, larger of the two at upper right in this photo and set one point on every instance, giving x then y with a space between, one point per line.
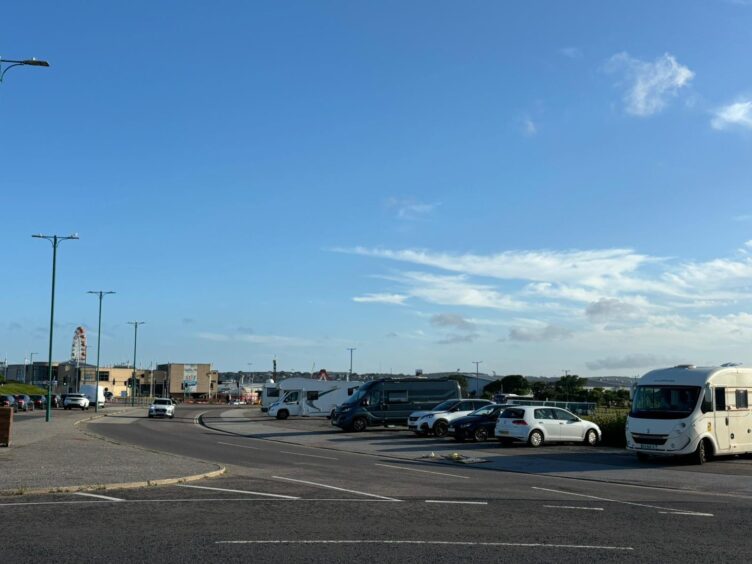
650 84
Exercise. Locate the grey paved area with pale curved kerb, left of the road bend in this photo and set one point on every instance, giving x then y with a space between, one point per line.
60 455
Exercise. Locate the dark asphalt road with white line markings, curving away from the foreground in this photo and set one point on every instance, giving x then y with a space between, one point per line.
285 503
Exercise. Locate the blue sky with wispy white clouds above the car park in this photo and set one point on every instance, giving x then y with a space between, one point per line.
540 186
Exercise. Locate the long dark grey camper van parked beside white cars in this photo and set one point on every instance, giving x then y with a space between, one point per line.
390 401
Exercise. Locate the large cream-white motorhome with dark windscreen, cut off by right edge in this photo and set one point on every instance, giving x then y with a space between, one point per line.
687 410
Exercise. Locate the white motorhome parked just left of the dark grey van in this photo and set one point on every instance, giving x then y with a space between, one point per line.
307 397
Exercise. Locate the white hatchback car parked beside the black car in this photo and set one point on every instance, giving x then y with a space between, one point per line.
538 424
